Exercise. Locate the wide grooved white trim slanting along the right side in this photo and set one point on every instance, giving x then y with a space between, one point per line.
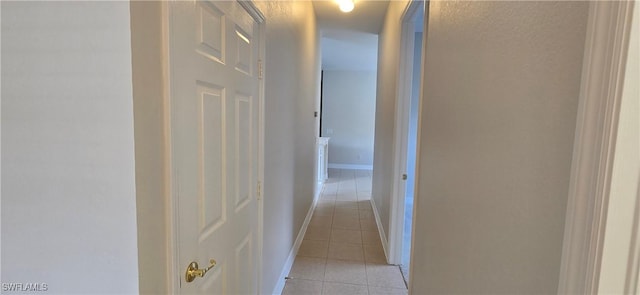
604 60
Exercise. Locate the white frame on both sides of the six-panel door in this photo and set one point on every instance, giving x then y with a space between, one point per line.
174 270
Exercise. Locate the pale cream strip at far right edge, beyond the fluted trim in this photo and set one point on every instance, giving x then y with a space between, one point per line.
623 196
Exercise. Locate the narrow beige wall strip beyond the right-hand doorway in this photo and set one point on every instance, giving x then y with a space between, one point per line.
388 65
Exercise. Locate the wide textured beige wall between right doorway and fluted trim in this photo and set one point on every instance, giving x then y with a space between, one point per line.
498 120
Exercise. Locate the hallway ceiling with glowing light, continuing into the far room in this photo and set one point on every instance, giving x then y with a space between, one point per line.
350 40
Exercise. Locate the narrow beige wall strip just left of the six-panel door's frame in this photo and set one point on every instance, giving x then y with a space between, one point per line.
147 59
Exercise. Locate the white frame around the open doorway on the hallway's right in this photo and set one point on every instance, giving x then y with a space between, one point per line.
403 104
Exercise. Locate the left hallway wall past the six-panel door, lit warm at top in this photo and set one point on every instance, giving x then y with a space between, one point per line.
292 78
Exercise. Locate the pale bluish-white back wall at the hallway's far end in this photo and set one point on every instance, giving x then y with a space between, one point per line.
348 115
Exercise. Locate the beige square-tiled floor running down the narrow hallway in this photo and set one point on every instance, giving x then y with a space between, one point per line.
341 252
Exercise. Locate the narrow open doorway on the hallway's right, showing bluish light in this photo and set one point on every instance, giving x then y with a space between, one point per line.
406 140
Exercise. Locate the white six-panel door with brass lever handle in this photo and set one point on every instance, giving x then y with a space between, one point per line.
215 98
